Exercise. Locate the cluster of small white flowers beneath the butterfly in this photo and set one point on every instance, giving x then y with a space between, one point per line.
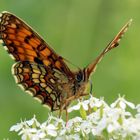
97 120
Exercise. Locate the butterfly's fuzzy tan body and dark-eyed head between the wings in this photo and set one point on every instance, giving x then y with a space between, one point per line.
74 89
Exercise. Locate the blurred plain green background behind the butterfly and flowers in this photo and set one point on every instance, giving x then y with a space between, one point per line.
78 30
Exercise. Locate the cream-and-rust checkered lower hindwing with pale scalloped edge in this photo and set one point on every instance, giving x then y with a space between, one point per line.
41 82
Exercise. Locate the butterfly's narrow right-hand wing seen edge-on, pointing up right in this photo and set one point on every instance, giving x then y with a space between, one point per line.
113 44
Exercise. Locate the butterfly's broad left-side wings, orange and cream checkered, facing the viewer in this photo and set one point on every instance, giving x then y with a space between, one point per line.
38 69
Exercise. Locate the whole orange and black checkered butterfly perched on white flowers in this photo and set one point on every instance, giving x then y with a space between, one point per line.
42 72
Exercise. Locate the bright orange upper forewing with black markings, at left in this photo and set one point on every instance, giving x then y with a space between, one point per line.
26 45
